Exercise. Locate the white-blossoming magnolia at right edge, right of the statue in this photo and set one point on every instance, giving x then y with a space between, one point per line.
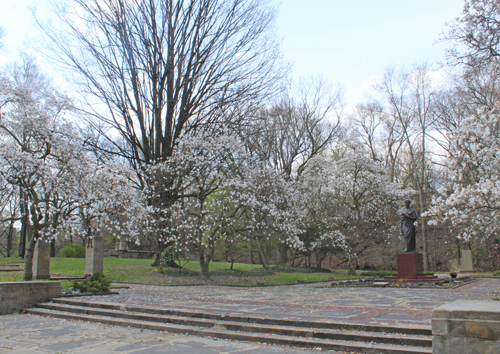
471 199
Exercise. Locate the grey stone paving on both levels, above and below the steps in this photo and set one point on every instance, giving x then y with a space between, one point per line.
22 333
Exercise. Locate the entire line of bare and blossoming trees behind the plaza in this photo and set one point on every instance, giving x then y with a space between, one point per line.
185 132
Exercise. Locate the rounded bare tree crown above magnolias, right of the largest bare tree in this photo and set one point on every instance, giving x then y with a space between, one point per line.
304 121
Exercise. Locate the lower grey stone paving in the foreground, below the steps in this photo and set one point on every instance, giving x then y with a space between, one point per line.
29 334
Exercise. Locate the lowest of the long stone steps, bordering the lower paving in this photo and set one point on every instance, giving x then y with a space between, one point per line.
219 331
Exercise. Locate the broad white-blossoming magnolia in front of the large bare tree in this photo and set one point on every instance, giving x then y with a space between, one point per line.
222 198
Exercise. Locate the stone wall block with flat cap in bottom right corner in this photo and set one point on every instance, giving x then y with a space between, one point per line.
471 327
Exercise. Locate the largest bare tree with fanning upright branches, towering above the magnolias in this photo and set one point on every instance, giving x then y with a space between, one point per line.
157 70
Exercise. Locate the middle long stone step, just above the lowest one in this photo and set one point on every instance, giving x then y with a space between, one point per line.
382 338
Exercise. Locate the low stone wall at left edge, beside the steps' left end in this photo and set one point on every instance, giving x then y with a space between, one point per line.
18 295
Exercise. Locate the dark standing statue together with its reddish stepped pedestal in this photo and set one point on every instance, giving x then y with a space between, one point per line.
410 262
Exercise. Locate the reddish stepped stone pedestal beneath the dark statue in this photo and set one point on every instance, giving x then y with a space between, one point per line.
411 268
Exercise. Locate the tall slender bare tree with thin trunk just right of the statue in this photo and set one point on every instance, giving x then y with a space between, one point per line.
399 130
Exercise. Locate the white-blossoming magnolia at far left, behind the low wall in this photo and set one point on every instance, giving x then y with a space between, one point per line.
43 156
